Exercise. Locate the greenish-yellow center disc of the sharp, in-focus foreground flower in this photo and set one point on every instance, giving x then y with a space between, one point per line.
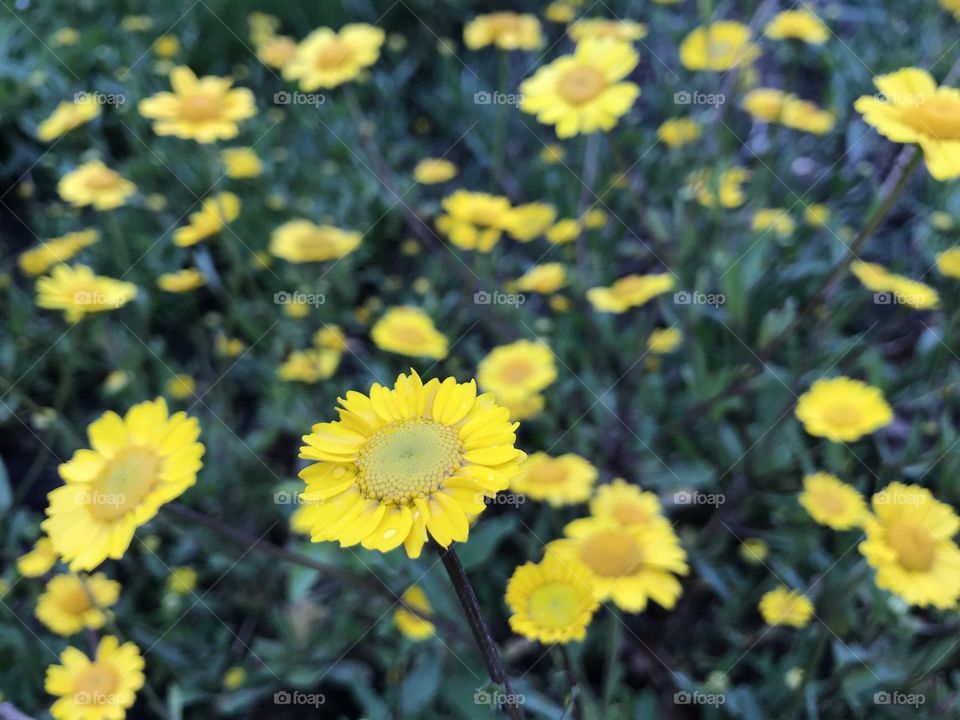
408 459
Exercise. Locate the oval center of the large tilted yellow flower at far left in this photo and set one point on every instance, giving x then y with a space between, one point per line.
124 482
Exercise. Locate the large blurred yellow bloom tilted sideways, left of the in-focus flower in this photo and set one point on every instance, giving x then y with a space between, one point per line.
136 464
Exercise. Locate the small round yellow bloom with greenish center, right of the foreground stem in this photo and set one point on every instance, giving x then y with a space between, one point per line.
551 601
